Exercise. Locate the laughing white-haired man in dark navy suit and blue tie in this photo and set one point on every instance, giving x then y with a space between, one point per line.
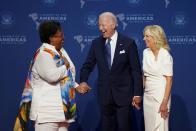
119 74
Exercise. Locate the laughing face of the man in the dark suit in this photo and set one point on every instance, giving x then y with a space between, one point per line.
106 26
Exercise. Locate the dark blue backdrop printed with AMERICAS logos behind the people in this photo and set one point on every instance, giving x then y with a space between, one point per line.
19 39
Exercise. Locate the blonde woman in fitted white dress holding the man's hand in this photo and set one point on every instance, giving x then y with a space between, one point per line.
157 72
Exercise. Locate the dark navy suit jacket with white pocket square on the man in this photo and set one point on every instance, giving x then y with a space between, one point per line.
123 80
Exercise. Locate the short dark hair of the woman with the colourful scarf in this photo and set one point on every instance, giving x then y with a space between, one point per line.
48 29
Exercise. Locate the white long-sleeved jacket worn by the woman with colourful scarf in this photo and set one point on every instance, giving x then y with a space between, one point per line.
46 103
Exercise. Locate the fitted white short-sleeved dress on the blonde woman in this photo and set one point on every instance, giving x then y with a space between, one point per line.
155 84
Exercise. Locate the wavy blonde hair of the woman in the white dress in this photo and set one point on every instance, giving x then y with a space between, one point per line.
158 35
